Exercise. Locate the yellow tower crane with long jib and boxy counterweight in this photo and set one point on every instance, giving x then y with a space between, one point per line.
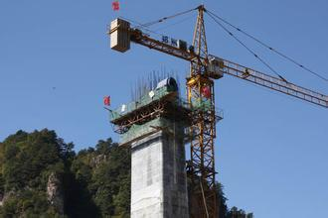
204 69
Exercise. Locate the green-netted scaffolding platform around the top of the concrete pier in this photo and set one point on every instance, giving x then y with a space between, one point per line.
155 112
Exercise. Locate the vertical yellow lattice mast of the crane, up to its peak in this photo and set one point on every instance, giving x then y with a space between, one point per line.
200 88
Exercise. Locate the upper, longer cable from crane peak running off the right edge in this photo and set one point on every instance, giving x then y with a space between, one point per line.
269 47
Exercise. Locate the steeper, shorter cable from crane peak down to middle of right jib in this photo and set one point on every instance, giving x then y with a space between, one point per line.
247 48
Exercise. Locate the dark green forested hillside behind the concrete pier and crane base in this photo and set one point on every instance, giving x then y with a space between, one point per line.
42 176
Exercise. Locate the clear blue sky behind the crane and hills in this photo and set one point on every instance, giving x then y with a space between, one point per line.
271 152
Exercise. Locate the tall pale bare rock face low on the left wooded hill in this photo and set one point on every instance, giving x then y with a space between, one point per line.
55 193
